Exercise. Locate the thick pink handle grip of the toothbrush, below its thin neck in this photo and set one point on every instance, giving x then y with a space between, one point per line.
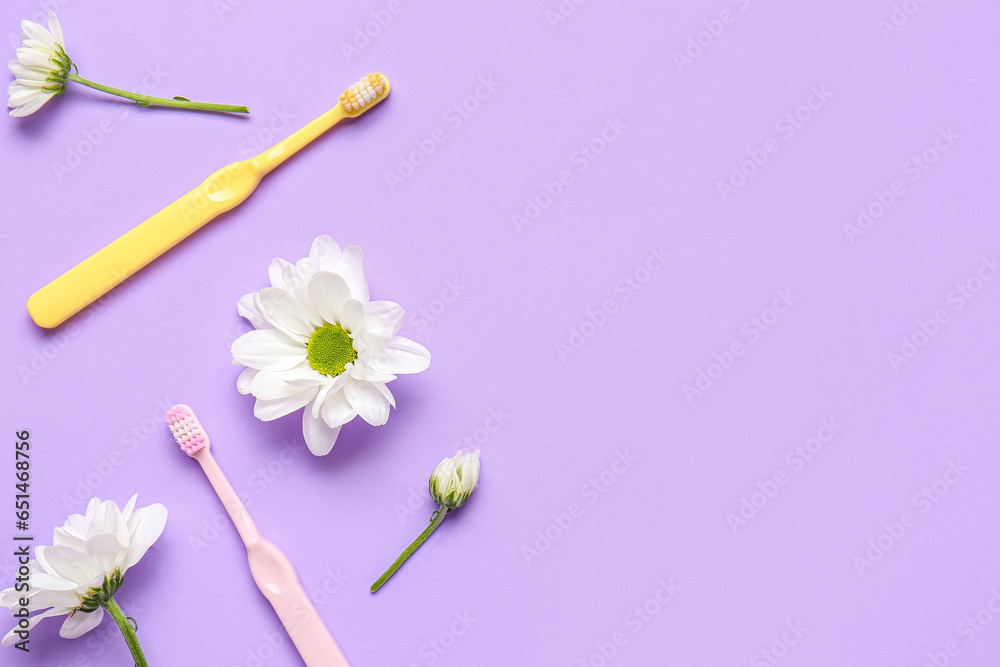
277 580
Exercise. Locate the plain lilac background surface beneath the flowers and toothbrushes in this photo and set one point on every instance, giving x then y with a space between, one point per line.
93 393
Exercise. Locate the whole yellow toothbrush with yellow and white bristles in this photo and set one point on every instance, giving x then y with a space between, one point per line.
224 190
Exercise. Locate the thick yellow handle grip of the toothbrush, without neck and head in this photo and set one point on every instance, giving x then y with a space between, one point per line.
104 270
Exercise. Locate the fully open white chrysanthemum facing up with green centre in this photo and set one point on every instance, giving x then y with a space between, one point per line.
319 343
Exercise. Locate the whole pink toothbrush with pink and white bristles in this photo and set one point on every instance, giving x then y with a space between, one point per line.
270 568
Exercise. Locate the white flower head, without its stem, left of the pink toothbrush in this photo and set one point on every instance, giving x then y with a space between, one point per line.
85 565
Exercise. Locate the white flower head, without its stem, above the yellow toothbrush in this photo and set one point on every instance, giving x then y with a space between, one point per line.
41 67
